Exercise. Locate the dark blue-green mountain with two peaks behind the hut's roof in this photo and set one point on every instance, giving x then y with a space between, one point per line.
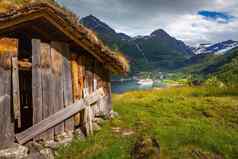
157 51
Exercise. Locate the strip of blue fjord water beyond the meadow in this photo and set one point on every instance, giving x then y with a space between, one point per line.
121 87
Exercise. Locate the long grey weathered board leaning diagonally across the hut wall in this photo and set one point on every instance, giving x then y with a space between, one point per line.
58 117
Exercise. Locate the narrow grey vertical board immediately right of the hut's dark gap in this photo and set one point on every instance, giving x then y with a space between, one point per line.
36 83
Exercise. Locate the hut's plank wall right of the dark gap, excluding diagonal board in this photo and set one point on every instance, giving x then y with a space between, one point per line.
61 77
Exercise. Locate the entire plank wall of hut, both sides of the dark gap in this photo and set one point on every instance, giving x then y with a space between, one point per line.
59 78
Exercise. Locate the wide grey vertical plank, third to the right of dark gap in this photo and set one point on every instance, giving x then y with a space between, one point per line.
57 99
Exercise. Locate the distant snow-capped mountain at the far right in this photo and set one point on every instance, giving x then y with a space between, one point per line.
218 48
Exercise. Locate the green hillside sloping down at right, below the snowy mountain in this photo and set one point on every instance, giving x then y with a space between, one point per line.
225 67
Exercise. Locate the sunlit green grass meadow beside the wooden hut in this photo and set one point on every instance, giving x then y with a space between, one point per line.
182 119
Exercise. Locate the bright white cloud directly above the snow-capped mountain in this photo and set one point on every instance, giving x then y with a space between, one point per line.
194 29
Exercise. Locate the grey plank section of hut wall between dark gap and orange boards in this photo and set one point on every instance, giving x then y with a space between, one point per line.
51 84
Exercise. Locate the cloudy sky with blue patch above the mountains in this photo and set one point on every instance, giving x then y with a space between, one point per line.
193 21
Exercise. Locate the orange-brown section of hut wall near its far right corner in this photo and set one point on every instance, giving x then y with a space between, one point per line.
88 76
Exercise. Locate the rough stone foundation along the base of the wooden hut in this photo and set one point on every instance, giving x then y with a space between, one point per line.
47 150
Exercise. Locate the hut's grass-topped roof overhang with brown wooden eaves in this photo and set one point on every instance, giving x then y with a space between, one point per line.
26 19
